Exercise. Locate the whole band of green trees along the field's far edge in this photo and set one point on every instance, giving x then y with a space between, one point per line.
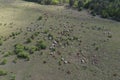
104 8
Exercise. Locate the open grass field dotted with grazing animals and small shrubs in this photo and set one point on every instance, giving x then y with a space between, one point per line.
78 45
